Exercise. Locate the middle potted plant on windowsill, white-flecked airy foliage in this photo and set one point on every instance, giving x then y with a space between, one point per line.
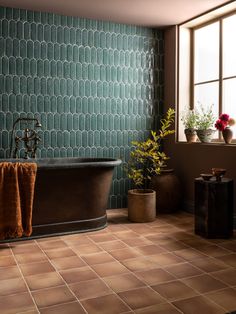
205 124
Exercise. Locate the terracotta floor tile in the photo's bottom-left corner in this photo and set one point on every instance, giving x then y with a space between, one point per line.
16 303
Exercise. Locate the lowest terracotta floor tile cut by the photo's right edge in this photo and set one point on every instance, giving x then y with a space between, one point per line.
225 298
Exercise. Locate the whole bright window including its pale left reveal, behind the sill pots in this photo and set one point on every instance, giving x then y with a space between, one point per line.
207 72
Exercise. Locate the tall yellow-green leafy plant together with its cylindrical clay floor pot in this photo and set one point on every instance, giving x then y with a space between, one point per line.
146 161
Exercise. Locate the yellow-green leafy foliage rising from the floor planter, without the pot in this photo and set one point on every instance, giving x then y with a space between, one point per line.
147 159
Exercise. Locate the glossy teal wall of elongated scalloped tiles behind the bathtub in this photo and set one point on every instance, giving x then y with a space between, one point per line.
94 85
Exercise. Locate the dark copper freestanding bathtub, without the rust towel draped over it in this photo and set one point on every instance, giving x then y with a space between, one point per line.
71 194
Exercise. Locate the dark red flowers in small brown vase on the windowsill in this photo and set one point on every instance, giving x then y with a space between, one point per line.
223 124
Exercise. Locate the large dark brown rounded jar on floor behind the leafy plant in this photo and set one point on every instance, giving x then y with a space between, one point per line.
168 191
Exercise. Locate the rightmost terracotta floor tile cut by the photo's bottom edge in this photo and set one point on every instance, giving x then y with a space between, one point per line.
198 305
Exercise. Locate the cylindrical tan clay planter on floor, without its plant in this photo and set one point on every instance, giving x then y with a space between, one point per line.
141 205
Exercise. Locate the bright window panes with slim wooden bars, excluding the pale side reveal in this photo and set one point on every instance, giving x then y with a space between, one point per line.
214 66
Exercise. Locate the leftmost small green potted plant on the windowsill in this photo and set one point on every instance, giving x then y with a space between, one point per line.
189 120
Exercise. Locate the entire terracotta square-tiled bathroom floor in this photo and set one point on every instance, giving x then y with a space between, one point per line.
158 267
